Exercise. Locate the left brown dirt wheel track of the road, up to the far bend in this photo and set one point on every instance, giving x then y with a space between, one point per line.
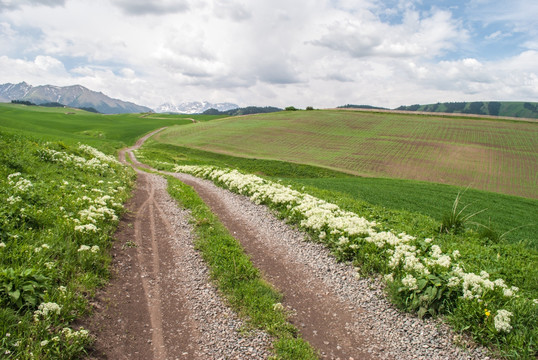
160 303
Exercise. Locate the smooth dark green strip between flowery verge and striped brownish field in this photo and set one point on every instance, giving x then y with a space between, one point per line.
504 213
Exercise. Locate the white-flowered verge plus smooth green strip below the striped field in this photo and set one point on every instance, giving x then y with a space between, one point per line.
481 275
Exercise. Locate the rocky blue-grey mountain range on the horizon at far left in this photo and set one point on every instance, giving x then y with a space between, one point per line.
73 96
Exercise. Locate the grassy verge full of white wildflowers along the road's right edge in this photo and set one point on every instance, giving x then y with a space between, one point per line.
447 257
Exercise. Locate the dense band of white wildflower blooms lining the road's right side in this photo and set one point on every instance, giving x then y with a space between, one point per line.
417 268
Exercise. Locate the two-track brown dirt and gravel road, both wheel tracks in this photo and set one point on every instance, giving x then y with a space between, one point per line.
161 304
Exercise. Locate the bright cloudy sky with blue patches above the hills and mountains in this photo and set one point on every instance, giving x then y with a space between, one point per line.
320 53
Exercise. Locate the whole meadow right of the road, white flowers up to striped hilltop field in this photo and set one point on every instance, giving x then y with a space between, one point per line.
498 243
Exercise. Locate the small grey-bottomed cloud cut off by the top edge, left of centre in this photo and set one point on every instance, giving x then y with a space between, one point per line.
154 7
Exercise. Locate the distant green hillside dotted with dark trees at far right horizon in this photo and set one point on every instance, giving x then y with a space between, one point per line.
493 108
